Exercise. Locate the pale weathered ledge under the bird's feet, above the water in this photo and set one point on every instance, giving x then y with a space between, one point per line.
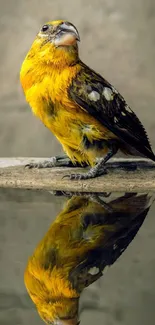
137 175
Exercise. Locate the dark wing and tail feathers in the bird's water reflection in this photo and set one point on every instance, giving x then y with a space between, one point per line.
126 221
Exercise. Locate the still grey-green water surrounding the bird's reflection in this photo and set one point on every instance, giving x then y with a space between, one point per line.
124 295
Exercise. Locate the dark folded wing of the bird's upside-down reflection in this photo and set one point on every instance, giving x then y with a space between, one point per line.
95 261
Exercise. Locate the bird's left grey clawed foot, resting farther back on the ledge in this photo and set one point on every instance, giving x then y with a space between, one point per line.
57 161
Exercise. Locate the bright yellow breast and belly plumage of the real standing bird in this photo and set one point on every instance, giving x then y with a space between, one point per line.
46 75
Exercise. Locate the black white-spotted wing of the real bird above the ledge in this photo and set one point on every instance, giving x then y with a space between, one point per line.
101 100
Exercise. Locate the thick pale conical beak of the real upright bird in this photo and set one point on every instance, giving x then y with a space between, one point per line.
66 35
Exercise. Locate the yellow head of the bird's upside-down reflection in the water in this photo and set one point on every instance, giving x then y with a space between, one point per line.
64 312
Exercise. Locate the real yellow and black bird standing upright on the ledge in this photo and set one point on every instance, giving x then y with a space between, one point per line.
87 115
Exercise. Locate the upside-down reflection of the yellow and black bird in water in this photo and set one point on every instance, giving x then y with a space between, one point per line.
84 238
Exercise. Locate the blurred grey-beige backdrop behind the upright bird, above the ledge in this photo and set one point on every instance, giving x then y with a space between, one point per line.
117 40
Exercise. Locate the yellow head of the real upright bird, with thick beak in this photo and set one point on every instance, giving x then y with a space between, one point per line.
56 43
